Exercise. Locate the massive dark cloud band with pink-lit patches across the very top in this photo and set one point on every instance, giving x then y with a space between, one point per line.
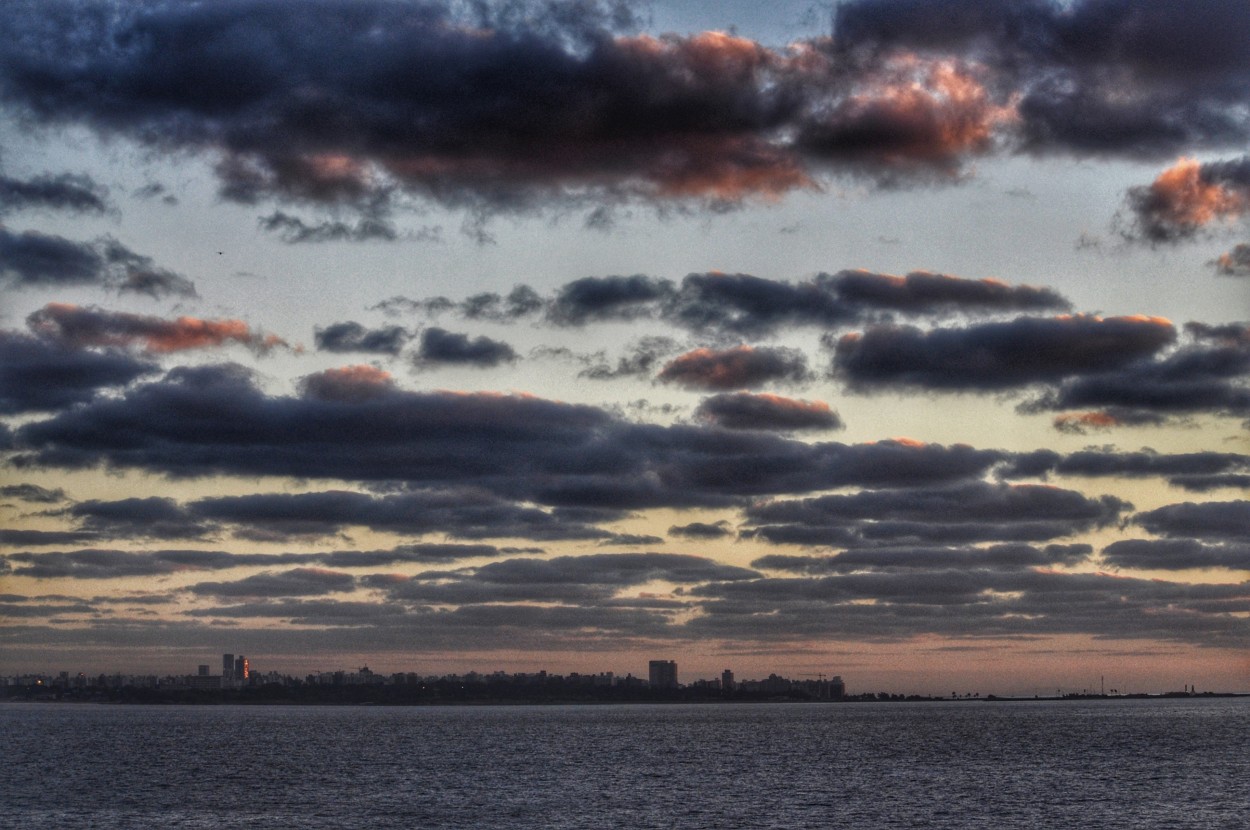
344 102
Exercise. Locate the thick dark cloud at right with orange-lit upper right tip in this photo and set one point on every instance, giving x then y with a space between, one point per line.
997 356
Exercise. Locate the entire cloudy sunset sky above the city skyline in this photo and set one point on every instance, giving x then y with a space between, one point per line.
904 341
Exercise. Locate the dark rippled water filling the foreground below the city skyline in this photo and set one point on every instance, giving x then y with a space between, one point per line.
1099 764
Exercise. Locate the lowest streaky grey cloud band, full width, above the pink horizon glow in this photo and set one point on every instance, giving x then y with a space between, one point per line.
494 608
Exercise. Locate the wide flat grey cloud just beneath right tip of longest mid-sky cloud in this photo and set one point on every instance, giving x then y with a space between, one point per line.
968 513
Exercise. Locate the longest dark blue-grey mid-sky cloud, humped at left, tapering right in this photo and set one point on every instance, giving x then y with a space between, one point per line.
209 421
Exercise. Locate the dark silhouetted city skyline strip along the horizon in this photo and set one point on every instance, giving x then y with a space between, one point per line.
239 682
